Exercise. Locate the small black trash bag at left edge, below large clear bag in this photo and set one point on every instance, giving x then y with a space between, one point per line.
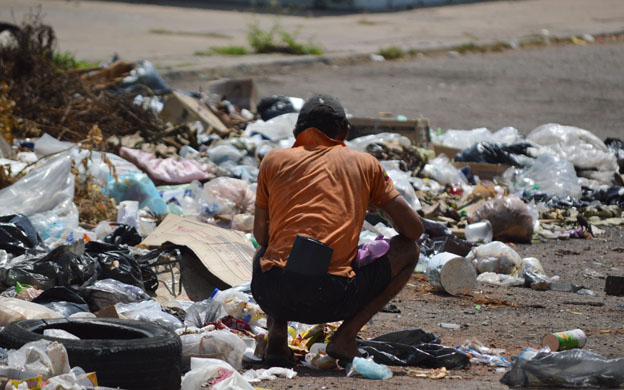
17 234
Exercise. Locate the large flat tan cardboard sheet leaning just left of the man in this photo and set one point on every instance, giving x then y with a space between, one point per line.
226 254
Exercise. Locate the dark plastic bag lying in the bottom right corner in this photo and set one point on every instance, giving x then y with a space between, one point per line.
570 368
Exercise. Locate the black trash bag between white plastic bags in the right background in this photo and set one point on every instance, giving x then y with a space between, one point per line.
486 152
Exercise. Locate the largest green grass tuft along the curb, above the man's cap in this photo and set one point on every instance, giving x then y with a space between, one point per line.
277 40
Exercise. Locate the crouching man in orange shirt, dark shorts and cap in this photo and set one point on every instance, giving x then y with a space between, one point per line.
321 189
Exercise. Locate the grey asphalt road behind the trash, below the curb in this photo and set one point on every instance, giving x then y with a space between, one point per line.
578 85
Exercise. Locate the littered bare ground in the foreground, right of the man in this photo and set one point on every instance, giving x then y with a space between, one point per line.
512 318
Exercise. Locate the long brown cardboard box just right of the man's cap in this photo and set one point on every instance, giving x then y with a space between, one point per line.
416 130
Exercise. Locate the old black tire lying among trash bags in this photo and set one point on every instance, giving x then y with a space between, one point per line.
123 353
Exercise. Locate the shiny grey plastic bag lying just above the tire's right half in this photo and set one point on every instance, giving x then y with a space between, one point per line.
107 292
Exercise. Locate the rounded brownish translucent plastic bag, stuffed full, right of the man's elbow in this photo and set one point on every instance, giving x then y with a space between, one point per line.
511 219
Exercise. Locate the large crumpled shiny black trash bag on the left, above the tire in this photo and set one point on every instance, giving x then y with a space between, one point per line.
66 265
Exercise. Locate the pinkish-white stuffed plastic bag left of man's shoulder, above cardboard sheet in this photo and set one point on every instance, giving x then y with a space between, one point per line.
226 195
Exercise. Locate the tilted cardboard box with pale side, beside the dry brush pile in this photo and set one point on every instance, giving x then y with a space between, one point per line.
180 109
